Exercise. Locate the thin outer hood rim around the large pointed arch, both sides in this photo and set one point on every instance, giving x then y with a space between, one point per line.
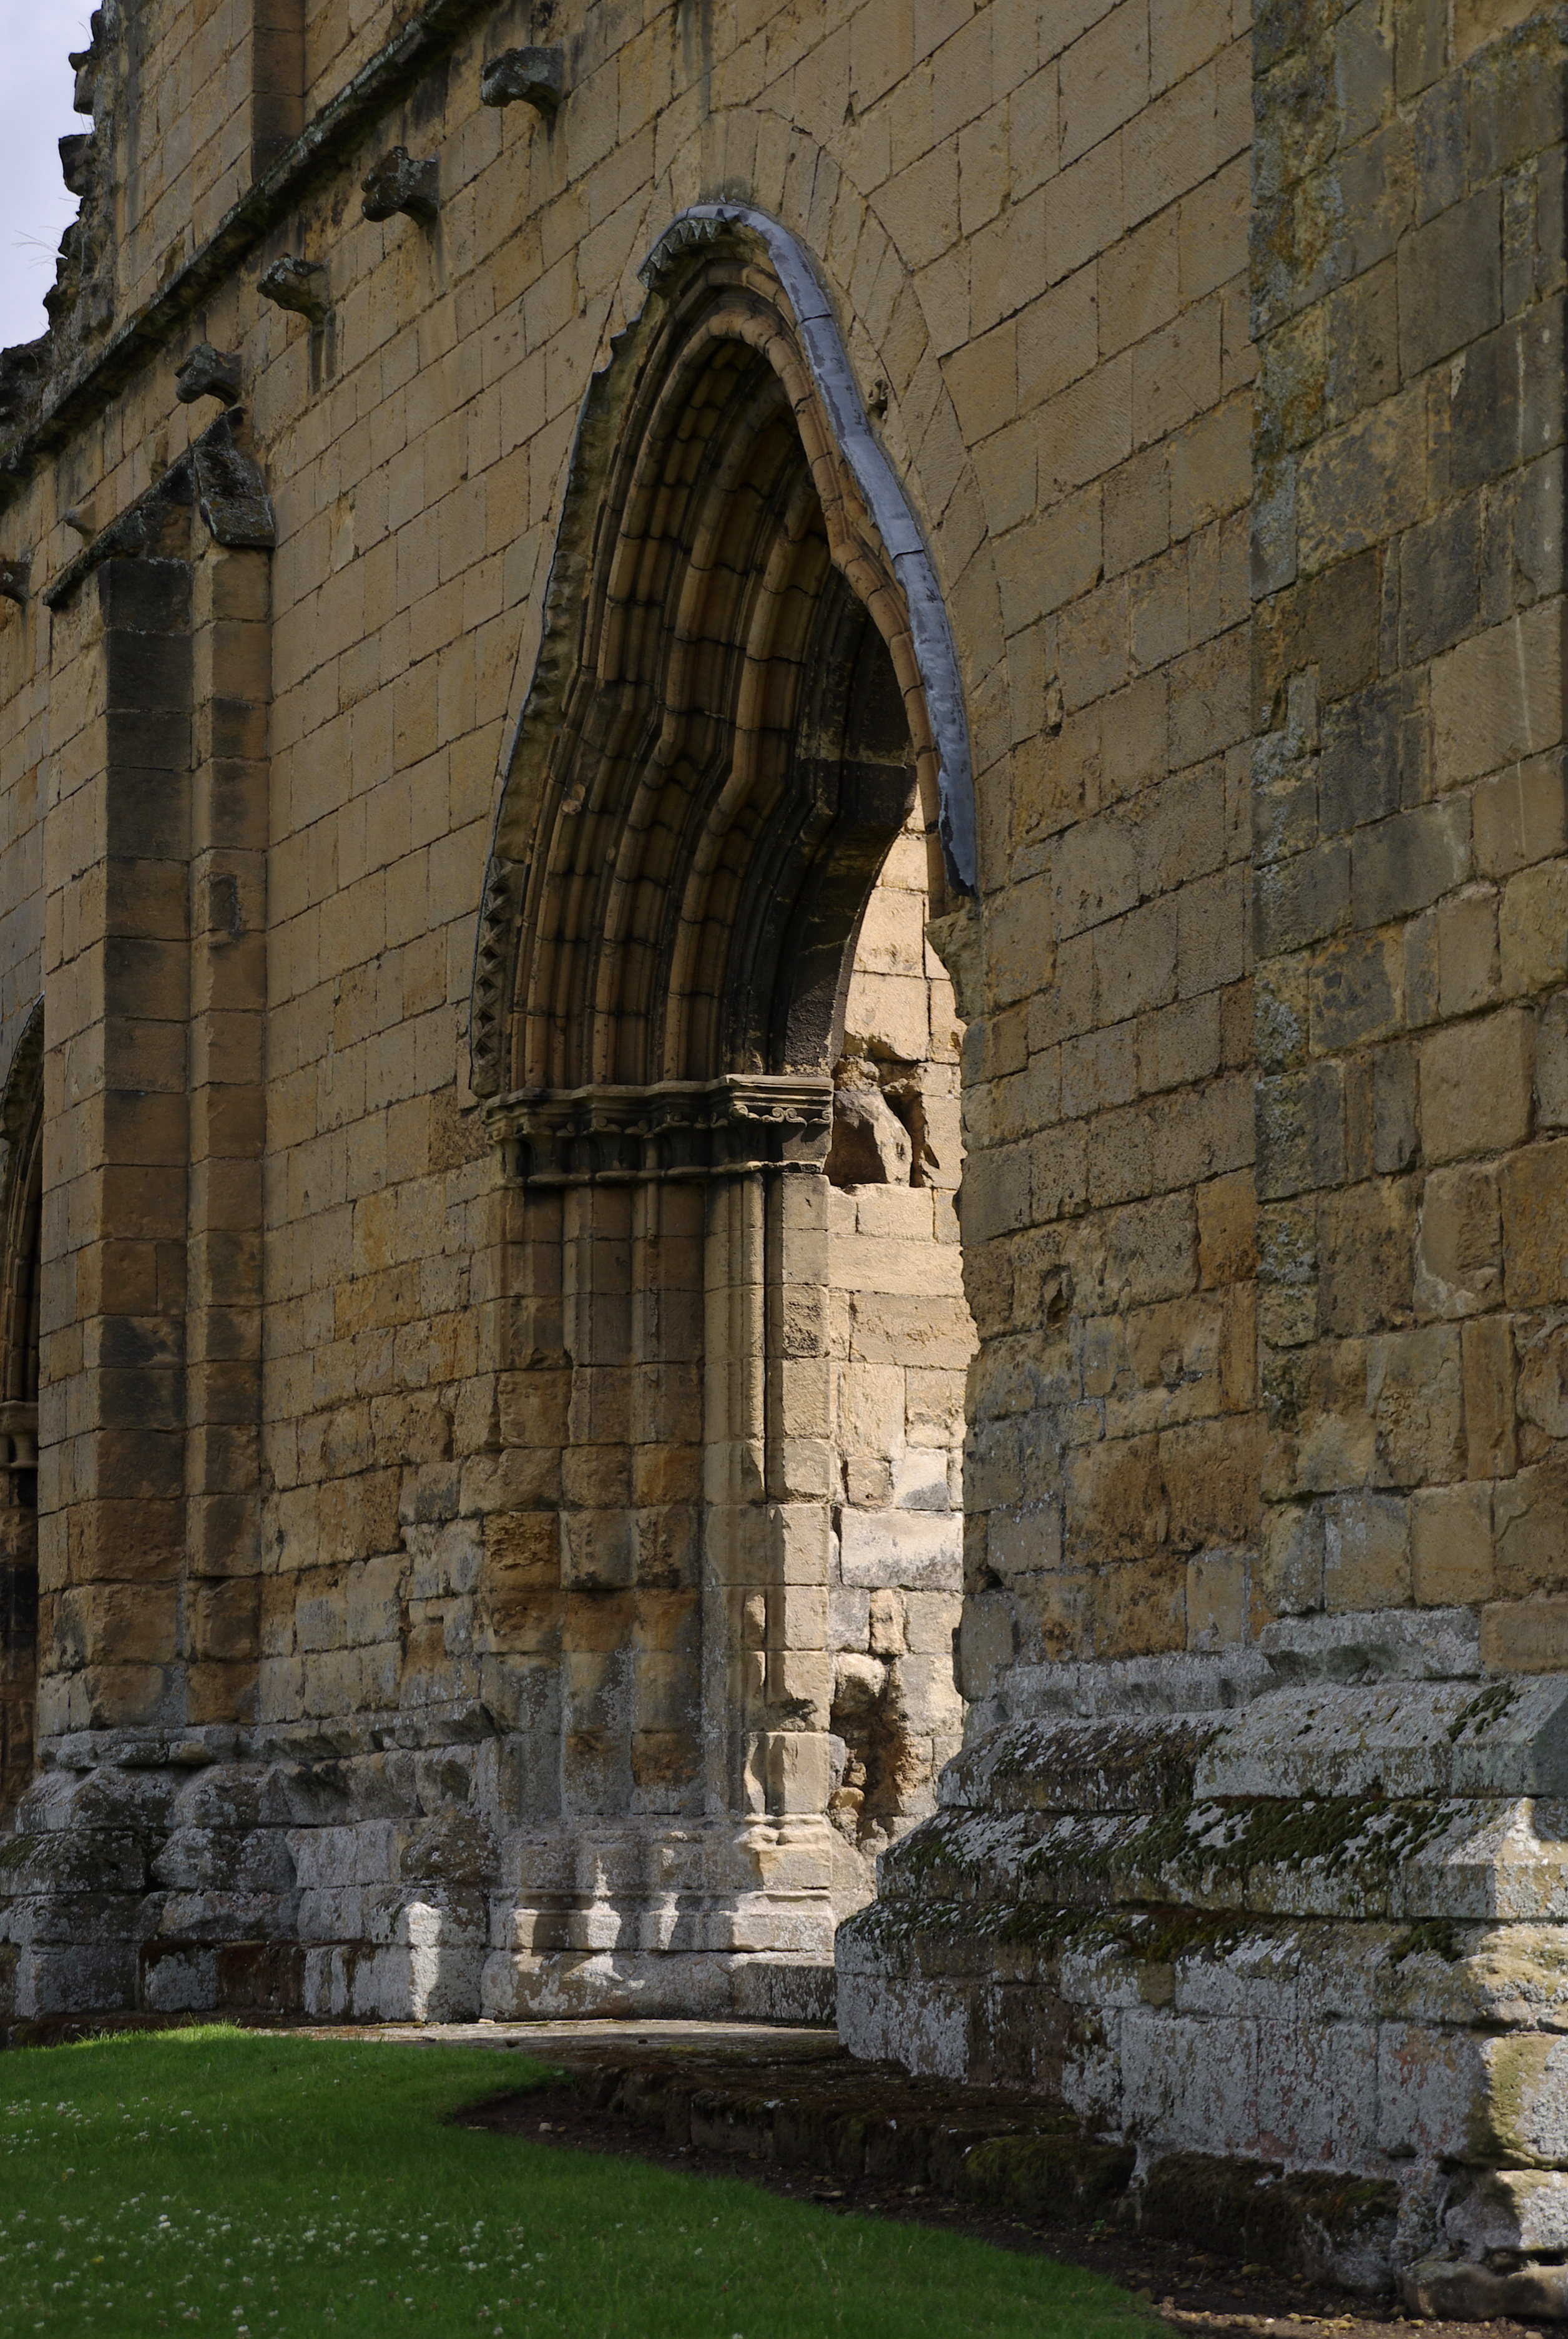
570 565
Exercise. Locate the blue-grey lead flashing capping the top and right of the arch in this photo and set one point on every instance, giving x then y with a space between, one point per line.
886 502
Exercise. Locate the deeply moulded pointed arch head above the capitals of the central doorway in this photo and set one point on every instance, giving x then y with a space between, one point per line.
745 677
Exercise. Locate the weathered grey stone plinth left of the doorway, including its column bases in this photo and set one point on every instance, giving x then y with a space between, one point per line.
195 1879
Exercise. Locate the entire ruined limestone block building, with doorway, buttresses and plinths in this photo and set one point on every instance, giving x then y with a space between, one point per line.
785 1058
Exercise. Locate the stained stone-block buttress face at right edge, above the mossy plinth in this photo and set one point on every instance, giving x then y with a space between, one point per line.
1410 815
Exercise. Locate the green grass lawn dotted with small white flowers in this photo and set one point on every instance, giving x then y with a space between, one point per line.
226 2181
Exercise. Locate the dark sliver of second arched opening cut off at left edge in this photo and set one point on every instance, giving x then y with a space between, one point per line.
22 1175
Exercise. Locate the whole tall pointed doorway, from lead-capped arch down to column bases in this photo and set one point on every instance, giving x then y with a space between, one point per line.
743 710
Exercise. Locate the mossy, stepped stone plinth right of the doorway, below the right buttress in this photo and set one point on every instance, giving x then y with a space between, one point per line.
1319 1936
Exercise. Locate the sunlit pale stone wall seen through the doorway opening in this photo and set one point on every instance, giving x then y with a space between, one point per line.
902 1341
